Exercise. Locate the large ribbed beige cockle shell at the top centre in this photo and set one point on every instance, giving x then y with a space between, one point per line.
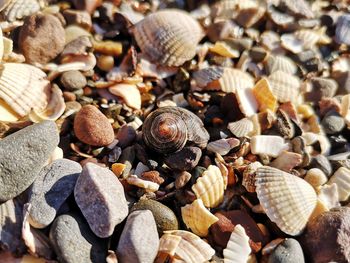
168 37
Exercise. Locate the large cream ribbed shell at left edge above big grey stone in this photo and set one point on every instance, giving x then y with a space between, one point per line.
23 87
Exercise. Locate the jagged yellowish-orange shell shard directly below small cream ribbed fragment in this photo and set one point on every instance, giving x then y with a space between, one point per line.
198 218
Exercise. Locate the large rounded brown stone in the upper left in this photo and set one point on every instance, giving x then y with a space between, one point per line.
42 38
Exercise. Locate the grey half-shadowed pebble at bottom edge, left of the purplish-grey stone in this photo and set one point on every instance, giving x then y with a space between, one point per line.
74 242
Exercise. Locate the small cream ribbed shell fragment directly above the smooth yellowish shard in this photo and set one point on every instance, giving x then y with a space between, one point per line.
210 187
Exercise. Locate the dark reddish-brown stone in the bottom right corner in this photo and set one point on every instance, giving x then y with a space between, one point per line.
327 238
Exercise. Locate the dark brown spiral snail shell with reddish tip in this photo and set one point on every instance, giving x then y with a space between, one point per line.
168 129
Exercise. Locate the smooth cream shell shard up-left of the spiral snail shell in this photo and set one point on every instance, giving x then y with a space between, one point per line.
129 93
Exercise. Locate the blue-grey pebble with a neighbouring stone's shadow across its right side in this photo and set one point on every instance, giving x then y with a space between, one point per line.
52 187
